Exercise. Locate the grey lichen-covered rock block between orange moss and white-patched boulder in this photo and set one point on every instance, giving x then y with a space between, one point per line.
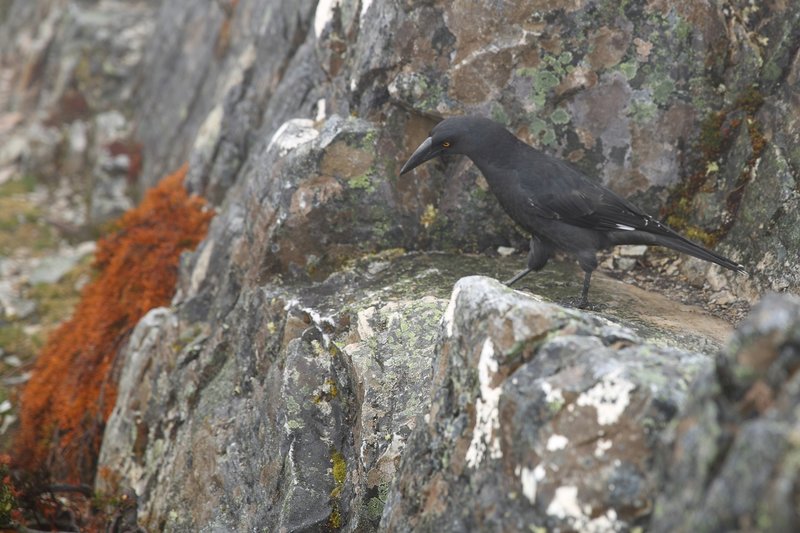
293 413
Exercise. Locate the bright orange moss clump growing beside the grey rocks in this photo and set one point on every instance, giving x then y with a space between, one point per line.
72 391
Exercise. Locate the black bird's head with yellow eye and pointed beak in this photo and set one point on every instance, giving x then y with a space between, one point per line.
455 135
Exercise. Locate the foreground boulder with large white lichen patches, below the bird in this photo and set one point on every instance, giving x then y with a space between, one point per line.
539 416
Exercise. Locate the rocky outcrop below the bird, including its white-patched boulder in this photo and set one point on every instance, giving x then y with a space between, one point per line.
298 417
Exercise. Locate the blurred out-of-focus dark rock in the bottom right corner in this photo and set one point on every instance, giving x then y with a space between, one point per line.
730 459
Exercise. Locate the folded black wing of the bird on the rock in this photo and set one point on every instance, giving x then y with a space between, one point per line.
556 190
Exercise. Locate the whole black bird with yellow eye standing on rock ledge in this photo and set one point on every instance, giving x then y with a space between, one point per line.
556 203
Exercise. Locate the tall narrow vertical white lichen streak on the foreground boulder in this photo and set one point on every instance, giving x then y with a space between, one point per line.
487 418
